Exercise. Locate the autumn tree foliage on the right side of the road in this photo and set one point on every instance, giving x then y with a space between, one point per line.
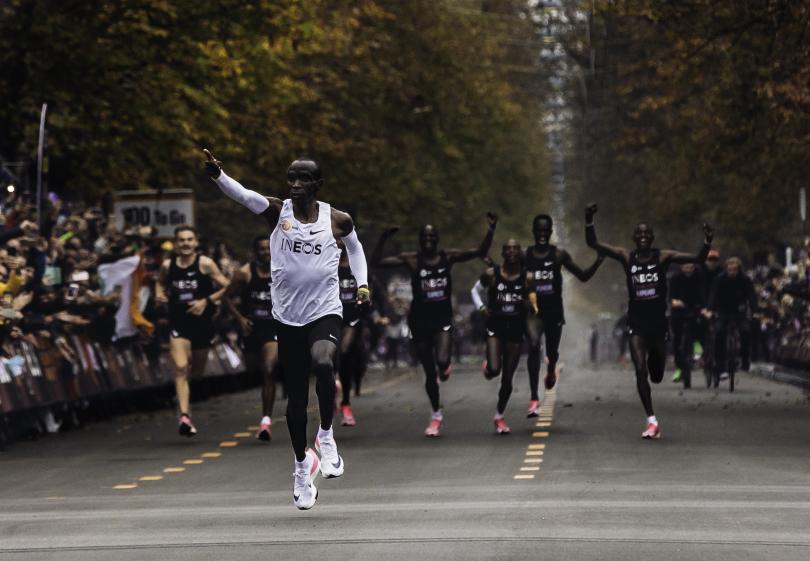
695 111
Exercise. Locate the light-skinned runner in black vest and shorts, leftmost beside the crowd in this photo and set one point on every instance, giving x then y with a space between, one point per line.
186 284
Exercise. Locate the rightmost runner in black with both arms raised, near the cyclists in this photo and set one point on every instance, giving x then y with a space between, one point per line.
646 270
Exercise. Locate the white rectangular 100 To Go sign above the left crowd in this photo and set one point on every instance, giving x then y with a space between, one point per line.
165 211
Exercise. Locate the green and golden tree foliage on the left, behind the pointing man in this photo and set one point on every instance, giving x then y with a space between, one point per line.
410 106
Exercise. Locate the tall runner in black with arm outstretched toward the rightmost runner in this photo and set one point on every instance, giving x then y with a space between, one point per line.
544 263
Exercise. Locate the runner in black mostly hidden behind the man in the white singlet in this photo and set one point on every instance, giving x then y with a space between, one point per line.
352 362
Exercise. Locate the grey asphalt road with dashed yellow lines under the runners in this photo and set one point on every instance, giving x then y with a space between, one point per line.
728 480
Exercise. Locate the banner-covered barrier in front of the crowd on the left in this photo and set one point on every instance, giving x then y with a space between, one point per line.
38 375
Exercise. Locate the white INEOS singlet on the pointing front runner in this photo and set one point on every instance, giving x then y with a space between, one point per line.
304 268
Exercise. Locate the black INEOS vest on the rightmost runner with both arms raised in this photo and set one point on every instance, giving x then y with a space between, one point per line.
647 287
